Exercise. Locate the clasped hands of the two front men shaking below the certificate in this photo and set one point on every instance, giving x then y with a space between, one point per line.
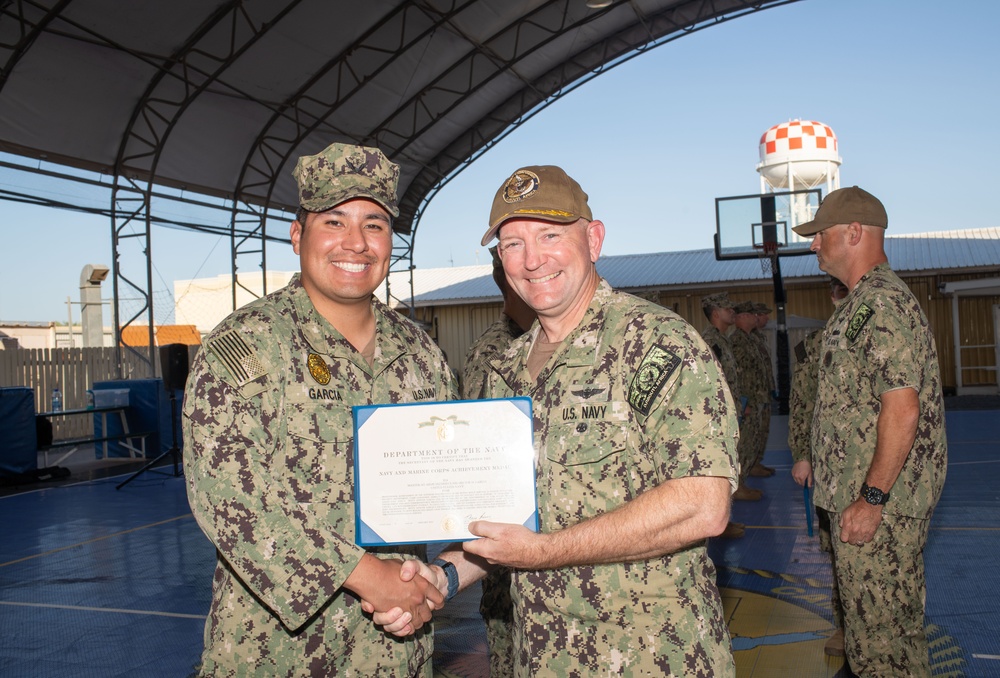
385 589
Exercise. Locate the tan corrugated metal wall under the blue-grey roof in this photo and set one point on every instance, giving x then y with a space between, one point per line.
456 327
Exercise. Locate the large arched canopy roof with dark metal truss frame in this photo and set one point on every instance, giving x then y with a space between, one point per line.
209 102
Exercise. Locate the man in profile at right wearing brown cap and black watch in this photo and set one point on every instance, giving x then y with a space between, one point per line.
878 438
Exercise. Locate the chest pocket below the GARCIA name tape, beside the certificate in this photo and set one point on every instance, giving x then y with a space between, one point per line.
317 469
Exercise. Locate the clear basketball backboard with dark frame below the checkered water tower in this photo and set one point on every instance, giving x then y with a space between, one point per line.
745 224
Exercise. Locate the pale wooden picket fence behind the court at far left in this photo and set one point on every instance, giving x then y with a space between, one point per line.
74 371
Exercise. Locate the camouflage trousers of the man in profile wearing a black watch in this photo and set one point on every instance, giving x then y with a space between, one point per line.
883 593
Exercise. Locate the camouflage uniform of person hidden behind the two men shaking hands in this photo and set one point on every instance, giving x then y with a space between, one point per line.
495 606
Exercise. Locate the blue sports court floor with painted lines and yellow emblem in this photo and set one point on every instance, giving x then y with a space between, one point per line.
101 582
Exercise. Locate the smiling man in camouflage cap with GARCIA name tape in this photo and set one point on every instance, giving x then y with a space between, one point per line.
268 443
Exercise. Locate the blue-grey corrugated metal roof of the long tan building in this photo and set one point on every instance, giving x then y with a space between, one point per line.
959 250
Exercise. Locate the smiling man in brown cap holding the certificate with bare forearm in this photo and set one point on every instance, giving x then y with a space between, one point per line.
635 440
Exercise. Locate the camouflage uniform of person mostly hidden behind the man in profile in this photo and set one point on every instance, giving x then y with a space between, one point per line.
801 403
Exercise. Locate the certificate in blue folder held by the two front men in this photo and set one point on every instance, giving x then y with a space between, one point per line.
424 471
